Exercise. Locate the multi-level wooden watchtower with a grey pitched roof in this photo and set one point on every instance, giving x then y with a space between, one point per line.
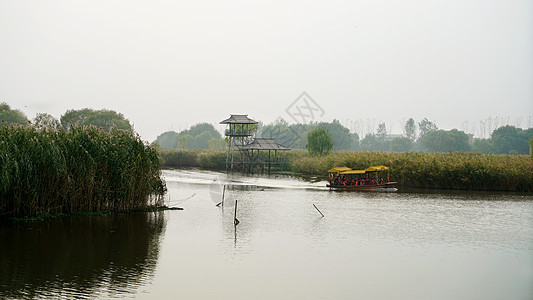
240 132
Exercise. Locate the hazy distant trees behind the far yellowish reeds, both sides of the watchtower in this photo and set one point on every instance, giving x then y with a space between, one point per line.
423 136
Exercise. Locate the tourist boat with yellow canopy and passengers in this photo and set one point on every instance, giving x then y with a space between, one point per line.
344 178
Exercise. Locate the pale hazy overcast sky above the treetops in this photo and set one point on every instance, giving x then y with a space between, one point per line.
170 64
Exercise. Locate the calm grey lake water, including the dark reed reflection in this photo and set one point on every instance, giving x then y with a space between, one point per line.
369 245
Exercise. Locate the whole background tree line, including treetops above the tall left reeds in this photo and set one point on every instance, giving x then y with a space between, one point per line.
423 136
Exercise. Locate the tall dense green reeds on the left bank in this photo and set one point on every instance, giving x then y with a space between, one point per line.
83 169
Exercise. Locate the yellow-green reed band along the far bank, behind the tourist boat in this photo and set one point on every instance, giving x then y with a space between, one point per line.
455 170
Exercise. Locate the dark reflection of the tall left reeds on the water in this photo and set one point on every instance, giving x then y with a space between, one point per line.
100 256
